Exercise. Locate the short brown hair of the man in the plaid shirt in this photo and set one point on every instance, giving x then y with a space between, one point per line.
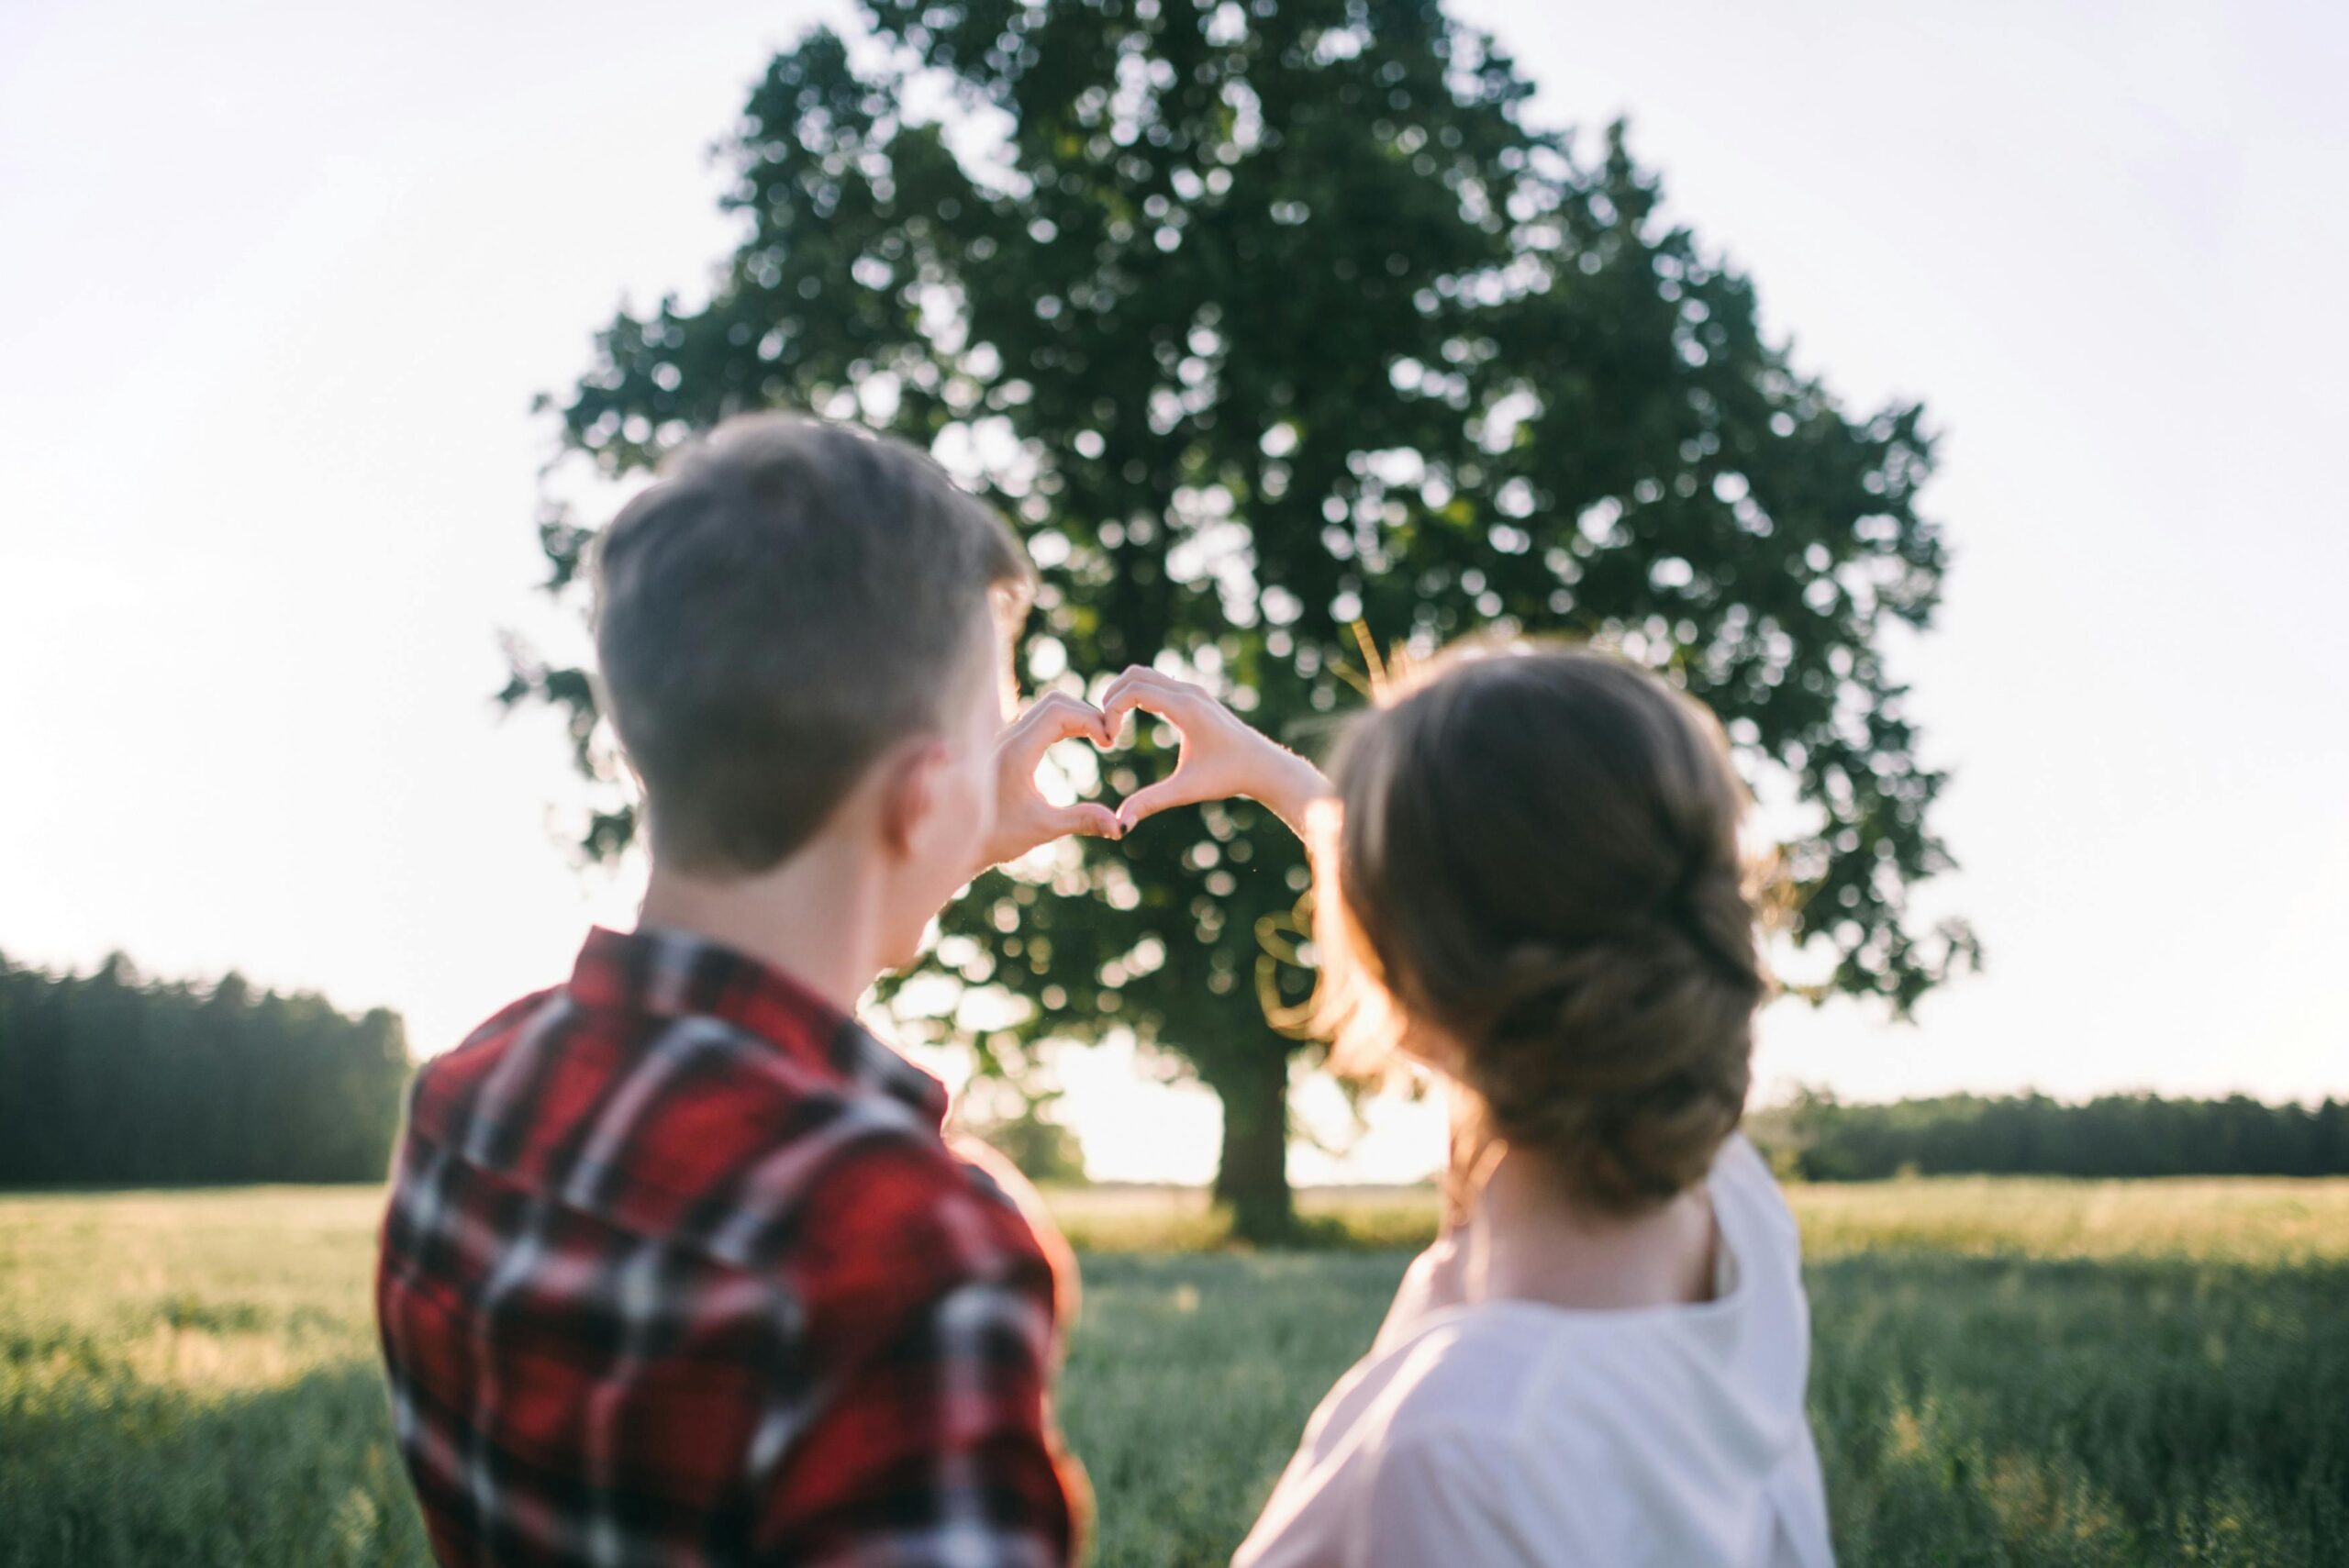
786 602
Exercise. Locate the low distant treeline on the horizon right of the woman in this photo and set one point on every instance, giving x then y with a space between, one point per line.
2118 1135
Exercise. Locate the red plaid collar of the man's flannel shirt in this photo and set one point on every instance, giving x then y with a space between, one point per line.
666 973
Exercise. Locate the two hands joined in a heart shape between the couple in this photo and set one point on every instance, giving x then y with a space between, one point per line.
1218 757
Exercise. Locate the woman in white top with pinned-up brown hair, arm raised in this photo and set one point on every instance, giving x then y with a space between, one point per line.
1528 879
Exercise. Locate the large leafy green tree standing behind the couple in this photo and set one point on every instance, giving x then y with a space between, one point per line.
1274 323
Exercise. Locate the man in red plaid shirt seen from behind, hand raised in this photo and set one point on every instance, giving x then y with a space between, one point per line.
678 1266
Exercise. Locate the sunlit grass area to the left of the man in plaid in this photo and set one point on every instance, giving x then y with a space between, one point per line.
191 1379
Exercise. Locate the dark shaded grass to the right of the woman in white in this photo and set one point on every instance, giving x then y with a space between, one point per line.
1991 1412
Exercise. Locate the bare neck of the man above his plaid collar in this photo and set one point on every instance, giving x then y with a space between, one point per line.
809 917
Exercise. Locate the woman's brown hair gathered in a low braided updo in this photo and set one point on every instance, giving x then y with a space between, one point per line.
1535 879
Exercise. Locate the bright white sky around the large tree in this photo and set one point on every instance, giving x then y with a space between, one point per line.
281 281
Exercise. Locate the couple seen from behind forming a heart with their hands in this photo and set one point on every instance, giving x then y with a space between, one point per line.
680 1269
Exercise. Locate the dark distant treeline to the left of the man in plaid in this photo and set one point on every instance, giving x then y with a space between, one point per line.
112 1079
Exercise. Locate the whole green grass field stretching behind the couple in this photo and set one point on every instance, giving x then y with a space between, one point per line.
2007 1372
